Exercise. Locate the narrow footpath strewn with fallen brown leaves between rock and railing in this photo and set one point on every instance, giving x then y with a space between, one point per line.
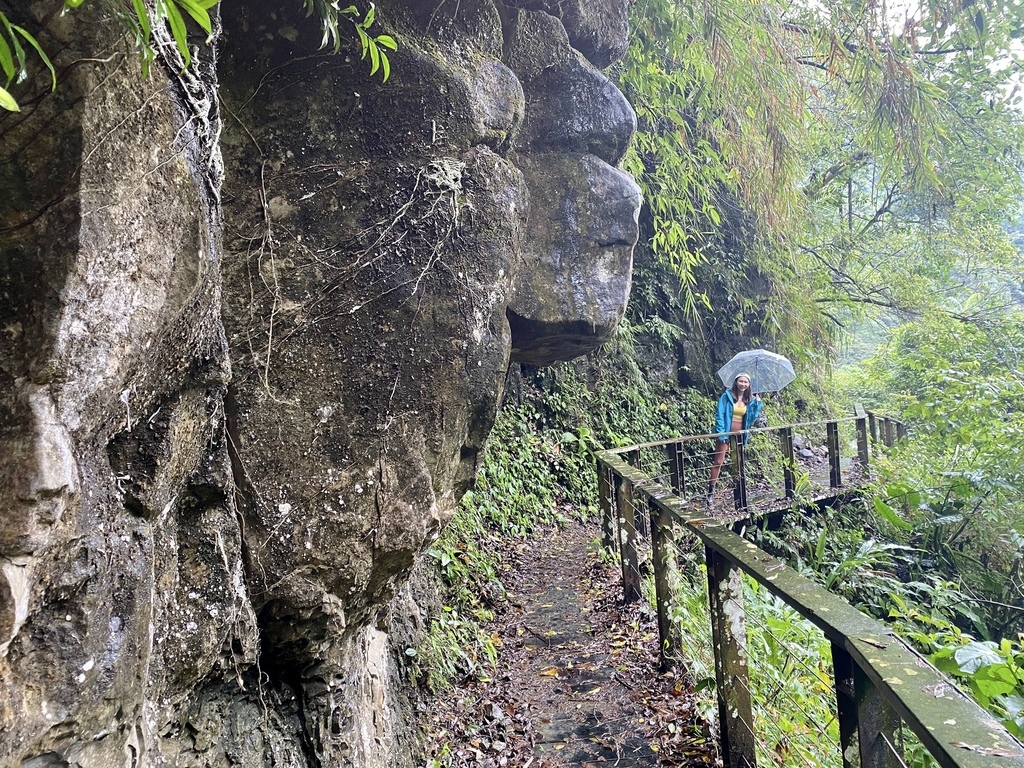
577 681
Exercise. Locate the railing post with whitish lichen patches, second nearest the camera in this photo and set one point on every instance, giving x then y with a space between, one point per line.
729 625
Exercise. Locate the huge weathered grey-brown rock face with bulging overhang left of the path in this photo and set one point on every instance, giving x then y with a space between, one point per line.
252 354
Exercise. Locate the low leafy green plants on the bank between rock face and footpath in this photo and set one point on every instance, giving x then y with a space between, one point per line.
539 470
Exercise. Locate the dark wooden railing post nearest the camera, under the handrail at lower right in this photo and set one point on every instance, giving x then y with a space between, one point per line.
868 726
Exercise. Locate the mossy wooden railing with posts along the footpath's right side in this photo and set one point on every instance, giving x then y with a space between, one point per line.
881 686
